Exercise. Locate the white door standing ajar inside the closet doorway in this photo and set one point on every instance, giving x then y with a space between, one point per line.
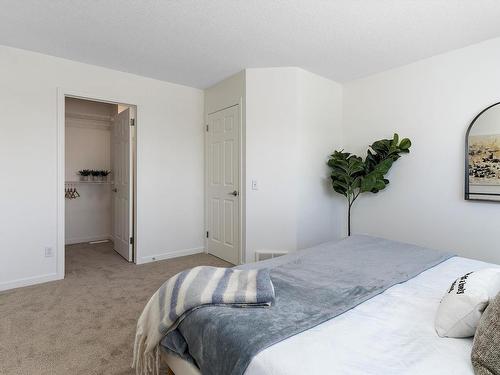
122 184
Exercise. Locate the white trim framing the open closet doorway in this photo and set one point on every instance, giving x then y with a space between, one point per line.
62 94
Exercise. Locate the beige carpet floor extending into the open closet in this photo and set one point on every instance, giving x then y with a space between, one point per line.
84 324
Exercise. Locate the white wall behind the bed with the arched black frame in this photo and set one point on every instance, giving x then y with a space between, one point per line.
432 102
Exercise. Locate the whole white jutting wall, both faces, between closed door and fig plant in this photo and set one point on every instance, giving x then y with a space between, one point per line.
293 123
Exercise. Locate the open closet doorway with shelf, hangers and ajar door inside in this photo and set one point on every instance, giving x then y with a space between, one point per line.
99 167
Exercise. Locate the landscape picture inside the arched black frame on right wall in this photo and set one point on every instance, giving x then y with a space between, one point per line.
484 159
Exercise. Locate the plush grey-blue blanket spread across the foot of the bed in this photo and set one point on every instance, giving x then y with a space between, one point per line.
311 287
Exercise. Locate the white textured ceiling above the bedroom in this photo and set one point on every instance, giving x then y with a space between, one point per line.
199 42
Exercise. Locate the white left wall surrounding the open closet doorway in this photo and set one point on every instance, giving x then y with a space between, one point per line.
169 161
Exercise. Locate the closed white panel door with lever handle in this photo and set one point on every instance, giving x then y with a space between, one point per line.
223 184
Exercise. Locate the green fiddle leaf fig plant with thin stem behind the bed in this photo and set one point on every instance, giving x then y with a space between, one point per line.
351 175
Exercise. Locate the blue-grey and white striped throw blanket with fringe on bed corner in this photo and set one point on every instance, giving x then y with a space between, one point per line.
187 291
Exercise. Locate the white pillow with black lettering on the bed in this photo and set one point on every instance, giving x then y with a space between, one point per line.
460 309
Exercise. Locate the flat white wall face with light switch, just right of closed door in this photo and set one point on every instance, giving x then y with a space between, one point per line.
272 155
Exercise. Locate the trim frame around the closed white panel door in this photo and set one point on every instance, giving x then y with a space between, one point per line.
242 181
